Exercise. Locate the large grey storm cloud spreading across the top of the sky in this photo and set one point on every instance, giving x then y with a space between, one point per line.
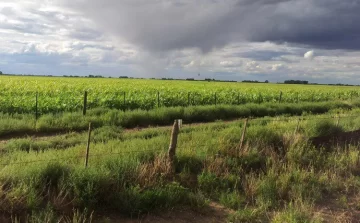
162 25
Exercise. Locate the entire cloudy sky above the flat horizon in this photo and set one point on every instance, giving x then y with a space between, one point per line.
275 40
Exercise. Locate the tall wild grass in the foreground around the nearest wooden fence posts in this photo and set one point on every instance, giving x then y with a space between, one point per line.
275 178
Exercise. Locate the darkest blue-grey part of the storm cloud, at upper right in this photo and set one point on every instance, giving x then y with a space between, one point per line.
329 24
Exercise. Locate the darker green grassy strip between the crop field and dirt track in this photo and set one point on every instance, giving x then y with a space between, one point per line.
25 124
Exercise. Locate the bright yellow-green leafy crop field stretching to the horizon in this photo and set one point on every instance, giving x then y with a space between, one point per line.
57 94
